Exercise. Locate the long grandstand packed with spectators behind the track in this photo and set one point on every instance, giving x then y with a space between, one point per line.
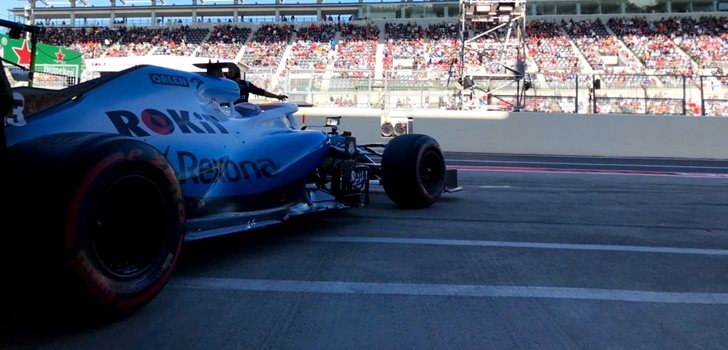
587 57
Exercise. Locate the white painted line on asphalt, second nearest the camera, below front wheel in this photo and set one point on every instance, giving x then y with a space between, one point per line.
512 244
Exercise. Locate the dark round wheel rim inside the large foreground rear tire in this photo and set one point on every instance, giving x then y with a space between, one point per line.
128 233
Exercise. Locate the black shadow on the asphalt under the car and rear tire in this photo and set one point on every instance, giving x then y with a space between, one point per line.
36 308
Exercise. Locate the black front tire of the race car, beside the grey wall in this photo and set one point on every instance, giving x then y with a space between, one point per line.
413 170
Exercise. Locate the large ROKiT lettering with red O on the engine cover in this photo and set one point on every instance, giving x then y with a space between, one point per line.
154 121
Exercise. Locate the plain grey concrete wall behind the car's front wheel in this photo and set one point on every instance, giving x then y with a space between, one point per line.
600 135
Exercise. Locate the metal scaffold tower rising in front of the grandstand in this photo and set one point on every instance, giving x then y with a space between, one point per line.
490 18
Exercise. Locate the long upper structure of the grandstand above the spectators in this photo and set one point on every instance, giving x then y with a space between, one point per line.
374 9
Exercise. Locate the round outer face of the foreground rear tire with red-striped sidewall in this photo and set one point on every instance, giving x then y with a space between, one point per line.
124 228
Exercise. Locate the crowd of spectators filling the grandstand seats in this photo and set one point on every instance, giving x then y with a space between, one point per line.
626 52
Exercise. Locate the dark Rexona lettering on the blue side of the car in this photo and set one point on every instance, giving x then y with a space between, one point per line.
206 171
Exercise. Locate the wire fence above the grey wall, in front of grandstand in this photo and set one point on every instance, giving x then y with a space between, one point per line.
563 93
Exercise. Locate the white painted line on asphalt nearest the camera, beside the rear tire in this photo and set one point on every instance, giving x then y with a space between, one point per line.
450 290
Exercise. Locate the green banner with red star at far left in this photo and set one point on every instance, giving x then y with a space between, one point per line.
48 58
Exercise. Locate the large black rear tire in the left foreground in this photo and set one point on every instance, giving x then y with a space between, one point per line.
110 211
